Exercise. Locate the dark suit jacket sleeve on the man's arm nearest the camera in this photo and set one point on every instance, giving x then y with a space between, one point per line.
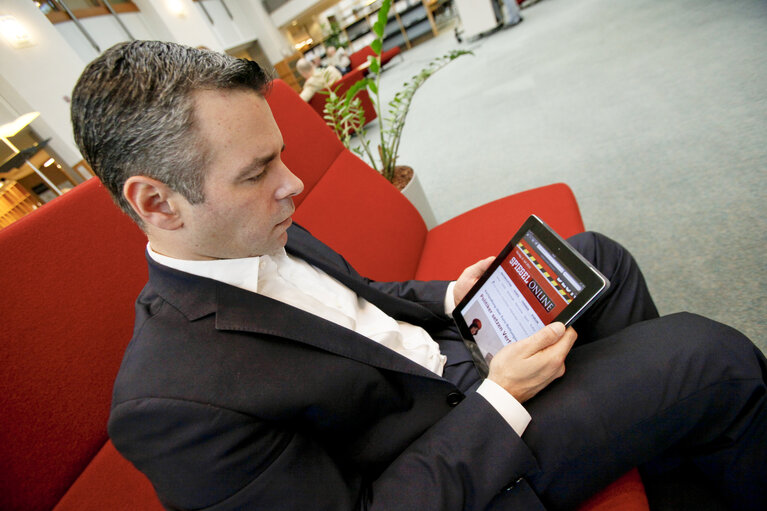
461 463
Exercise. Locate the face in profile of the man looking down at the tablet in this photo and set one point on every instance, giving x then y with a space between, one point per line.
248 190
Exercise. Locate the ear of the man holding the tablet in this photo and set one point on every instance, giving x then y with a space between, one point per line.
154 202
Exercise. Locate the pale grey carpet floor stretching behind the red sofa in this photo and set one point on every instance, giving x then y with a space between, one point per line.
654 112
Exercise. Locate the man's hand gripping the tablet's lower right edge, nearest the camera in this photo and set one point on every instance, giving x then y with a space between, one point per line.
525 367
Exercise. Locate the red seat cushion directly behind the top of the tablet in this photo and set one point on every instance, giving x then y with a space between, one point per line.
484 231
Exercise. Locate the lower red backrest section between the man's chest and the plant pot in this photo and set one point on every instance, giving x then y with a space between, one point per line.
350 204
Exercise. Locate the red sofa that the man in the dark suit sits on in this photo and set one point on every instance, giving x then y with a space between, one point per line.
74 267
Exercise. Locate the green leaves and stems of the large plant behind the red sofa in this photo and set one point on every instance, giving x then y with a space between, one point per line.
345 116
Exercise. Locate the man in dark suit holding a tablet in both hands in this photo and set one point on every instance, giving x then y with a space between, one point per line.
265 373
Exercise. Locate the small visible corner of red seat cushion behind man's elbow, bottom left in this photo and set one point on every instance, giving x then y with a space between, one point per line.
110 482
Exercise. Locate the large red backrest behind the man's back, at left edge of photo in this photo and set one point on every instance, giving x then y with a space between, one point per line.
72 272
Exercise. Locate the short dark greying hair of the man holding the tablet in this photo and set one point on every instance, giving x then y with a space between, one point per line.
133 113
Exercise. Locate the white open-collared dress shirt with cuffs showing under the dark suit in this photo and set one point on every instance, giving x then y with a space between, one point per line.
293 281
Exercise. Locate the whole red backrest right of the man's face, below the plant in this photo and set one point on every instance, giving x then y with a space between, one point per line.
345 202
